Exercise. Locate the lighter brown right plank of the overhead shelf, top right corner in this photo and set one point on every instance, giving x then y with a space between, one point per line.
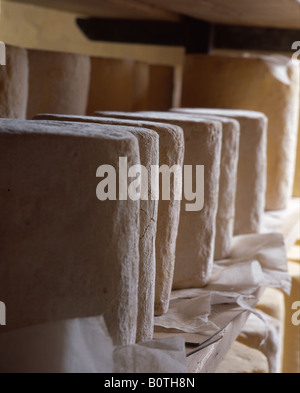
261 13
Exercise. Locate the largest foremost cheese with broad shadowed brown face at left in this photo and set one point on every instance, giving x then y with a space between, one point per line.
64 253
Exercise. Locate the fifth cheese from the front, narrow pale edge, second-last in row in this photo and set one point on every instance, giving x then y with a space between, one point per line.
228 185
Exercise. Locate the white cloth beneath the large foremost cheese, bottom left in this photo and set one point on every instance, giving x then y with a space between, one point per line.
85 346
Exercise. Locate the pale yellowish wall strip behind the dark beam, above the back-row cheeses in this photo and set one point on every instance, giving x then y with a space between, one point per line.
35 27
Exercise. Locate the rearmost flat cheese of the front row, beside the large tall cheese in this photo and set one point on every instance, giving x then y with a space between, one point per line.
251 183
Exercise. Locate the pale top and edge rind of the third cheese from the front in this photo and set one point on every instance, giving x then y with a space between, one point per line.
171 152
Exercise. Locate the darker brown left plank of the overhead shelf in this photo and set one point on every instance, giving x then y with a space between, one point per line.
132 9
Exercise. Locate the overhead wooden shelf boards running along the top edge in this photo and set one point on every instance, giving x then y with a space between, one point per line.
259 13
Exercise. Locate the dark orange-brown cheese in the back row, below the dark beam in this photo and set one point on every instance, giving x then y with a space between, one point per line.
118 85
